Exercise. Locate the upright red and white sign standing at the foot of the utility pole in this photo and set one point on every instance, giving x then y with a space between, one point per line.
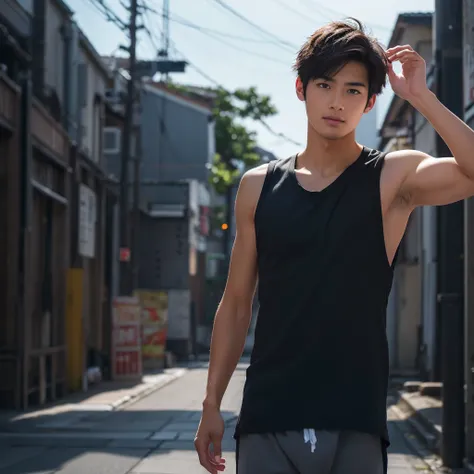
126 339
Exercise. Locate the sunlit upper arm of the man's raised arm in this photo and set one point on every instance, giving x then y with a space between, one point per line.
435 181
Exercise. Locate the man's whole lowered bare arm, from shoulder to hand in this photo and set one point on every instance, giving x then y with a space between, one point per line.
232 318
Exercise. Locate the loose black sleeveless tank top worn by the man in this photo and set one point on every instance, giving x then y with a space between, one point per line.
320 358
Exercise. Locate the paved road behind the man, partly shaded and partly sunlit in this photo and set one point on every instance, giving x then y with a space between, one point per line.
153 436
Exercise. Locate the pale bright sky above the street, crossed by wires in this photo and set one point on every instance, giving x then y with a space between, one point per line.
257 47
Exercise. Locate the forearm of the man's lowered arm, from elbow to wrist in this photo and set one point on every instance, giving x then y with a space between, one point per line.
227 344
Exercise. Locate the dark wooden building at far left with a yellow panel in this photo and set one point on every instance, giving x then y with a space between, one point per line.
56 201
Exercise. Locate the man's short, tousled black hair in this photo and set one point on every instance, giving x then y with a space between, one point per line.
332 46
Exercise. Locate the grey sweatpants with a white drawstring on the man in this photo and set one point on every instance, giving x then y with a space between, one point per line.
310 452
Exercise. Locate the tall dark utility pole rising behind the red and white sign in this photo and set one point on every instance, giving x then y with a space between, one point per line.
125 265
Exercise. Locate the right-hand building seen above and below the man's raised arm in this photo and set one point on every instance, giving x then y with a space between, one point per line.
411 321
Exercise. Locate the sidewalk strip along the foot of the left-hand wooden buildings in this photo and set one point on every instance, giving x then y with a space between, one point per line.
106 396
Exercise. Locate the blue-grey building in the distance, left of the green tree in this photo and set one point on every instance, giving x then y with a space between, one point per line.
176 141
